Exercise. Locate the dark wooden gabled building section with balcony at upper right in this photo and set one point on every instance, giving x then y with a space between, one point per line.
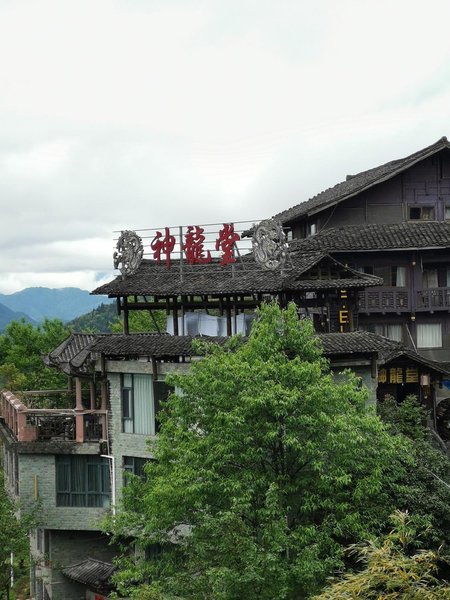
394 222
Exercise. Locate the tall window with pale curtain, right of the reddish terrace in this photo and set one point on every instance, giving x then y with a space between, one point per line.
141 399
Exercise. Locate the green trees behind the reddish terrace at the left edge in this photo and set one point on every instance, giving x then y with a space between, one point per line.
21 348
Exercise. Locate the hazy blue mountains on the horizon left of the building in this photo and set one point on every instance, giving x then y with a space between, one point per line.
37 303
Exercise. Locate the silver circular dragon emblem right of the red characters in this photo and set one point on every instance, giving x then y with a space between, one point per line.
270 246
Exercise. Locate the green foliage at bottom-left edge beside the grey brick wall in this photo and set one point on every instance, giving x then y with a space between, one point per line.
13 538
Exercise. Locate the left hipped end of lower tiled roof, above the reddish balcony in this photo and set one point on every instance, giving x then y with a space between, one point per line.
70 356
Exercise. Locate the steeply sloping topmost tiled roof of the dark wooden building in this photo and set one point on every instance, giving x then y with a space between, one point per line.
358 183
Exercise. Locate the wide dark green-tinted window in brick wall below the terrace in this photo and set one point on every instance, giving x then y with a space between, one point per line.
82 480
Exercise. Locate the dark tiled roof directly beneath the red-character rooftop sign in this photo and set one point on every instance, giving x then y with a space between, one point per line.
246 277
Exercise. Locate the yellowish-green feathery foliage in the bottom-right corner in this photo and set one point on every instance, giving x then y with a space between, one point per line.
394 569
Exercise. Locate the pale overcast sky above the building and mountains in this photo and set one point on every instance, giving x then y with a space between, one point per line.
131 114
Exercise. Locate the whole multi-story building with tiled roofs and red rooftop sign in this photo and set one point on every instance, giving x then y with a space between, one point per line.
69 465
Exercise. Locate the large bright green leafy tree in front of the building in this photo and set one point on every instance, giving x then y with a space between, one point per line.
266 470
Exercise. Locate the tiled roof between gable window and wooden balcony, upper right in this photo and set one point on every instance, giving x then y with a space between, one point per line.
417 235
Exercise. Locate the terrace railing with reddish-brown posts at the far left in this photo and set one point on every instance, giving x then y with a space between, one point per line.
51 424
